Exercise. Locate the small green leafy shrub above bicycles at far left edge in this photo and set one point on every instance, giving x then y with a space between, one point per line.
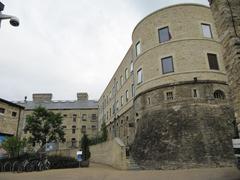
13 146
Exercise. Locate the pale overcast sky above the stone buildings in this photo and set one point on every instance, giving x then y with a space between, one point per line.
64 47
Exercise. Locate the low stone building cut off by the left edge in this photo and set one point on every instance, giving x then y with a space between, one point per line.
11 115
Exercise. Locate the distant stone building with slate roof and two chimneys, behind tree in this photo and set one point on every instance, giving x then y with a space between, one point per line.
79 116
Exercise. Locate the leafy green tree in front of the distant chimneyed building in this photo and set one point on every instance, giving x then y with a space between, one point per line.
44 126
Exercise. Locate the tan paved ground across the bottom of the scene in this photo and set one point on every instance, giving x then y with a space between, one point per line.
100 172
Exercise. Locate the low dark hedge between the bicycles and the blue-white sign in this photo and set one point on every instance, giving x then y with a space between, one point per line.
60 162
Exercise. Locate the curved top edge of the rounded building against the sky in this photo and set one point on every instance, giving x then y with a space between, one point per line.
168 7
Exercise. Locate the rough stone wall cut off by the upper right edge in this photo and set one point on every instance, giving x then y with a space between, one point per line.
227 19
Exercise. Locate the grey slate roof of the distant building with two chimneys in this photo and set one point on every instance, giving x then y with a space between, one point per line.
60 105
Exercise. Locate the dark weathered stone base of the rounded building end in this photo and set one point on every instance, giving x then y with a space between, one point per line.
184 132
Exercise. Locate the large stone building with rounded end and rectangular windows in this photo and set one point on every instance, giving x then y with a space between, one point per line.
169 99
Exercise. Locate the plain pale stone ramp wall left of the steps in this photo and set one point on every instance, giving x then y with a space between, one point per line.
112 153
